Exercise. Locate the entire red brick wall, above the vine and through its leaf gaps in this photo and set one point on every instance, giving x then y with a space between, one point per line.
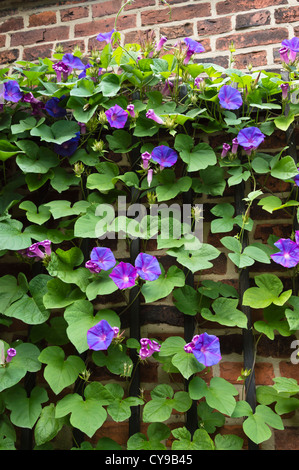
257 28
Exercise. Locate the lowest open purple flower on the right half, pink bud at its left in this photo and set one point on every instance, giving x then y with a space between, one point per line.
206 349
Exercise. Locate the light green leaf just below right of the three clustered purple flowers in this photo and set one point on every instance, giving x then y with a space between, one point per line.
164 285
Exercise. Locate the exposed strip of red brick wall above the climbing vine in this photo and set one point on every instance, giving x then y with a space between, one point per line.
256 27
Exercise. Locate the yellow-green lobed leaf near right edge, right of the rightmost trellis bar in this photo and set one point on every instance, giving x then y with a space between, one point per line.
268 291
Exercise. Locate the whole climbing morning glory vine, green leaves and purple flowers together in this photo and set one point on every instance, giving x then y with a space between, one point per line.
77 133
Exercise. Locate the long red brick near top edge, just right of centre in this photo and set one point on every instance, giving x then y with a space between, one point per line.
186 12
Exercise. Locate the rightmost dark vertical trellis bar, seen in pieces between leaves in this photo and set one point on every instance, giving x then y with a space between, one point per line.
248 338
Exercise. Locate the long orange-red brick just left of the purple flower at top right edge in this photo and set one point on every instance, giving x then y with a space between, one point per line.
252 38
